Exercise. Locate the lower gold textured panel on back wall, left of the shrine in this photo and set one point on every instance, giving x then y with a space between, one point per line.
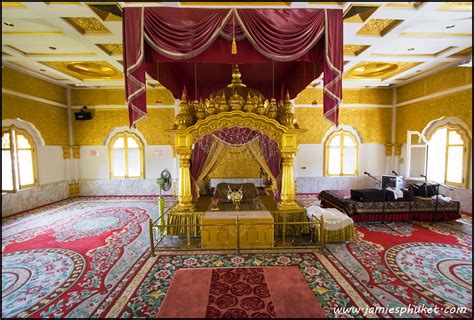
95 131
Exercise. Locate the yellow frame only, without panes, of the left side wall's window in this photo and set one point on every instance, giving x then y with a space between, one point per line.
14 131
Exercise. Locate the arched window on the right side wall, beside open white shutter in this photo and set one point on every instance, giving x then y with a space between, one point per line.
448 155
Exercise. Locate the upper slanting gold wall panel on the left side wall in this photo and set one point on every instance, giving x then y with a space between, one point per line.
24 83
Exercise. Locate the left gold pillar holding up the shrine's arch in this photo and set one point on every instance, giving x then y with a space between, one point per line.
183 151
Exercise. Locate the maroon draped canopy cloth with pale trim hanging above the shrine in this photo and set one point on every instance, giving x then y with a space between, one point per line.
278 50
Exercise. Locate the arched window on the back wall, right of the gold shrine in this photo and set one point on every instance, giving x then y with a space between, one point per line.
341 154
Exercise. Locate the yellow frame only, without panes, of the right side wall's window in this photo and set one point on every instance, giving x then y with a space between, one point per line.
466 156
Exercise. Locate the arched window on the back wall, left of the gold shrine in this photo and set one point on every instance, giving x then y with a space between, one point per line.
126 154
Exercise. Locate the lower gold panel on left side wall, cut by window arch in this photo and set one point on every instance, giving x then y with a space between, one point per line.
51 121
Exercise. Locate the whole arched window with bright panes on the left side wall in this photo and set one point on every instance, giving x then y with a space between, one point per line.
19 161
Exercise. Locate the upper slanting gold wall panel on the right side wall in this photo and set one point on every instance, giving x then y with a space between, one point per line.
444 80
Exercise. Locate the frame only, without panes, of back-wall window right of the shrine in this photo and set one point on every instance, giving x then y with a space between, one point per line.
342 133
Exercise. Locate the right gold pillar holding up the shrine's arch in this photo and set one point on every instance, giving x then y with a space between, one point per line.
288 187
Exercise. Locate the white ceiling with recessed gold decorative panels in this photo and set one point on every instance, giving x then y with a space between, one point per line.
385 43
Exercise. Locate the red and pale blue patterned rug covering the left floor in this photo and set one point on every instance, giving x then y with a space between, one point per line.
72 258
